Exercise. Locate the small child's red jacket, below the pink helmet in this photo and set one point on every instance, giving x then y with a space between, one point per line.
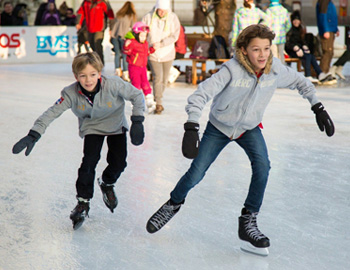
137 53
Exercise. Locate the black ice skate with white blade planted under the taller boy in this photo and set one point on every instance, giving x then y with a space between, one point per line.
252 240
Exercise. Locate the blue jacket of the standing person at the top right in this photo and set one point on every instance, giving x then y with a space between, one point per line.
327 22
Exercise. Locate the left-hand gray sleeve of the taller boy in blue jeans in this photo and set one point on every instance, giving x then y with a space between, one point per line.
205 92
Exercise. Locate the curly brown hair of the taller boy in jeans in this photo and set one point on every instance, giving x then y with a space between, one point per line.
254 31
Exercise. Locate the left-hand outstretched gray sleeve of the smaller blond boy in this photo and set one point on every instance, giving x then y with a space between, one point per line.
62 104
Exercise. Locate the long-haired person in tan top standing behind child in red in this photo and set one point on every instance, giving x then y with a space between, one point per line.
125 18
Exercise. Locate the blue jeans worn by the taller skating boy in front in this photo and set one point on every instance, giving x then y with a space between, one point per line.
212 143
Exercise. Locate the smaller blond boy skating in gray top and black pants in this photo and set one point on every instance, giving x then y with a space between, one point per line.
99 103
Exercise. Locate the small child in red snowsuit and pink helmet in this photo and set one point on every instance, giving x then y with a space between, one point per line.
137 51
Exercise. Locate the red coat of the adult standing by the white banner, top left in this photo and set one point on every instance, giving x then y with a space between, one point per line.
94 12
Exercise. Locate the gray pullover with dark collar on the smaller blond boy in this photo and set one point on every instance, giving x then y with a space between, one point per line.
105 116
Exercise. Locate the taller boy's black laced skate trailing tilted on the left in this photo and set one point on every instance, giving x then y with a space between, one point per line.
162 216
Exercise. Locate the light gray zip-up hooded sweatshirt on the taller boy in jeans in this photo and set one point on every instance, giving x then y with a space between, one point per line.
240 98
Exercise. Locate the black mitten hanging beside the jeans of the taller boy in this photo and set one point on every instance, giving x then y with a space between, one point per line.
190 141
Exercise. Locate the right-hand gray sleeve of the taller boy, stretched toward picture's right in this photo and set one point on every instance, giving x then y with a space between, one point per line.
291 79
